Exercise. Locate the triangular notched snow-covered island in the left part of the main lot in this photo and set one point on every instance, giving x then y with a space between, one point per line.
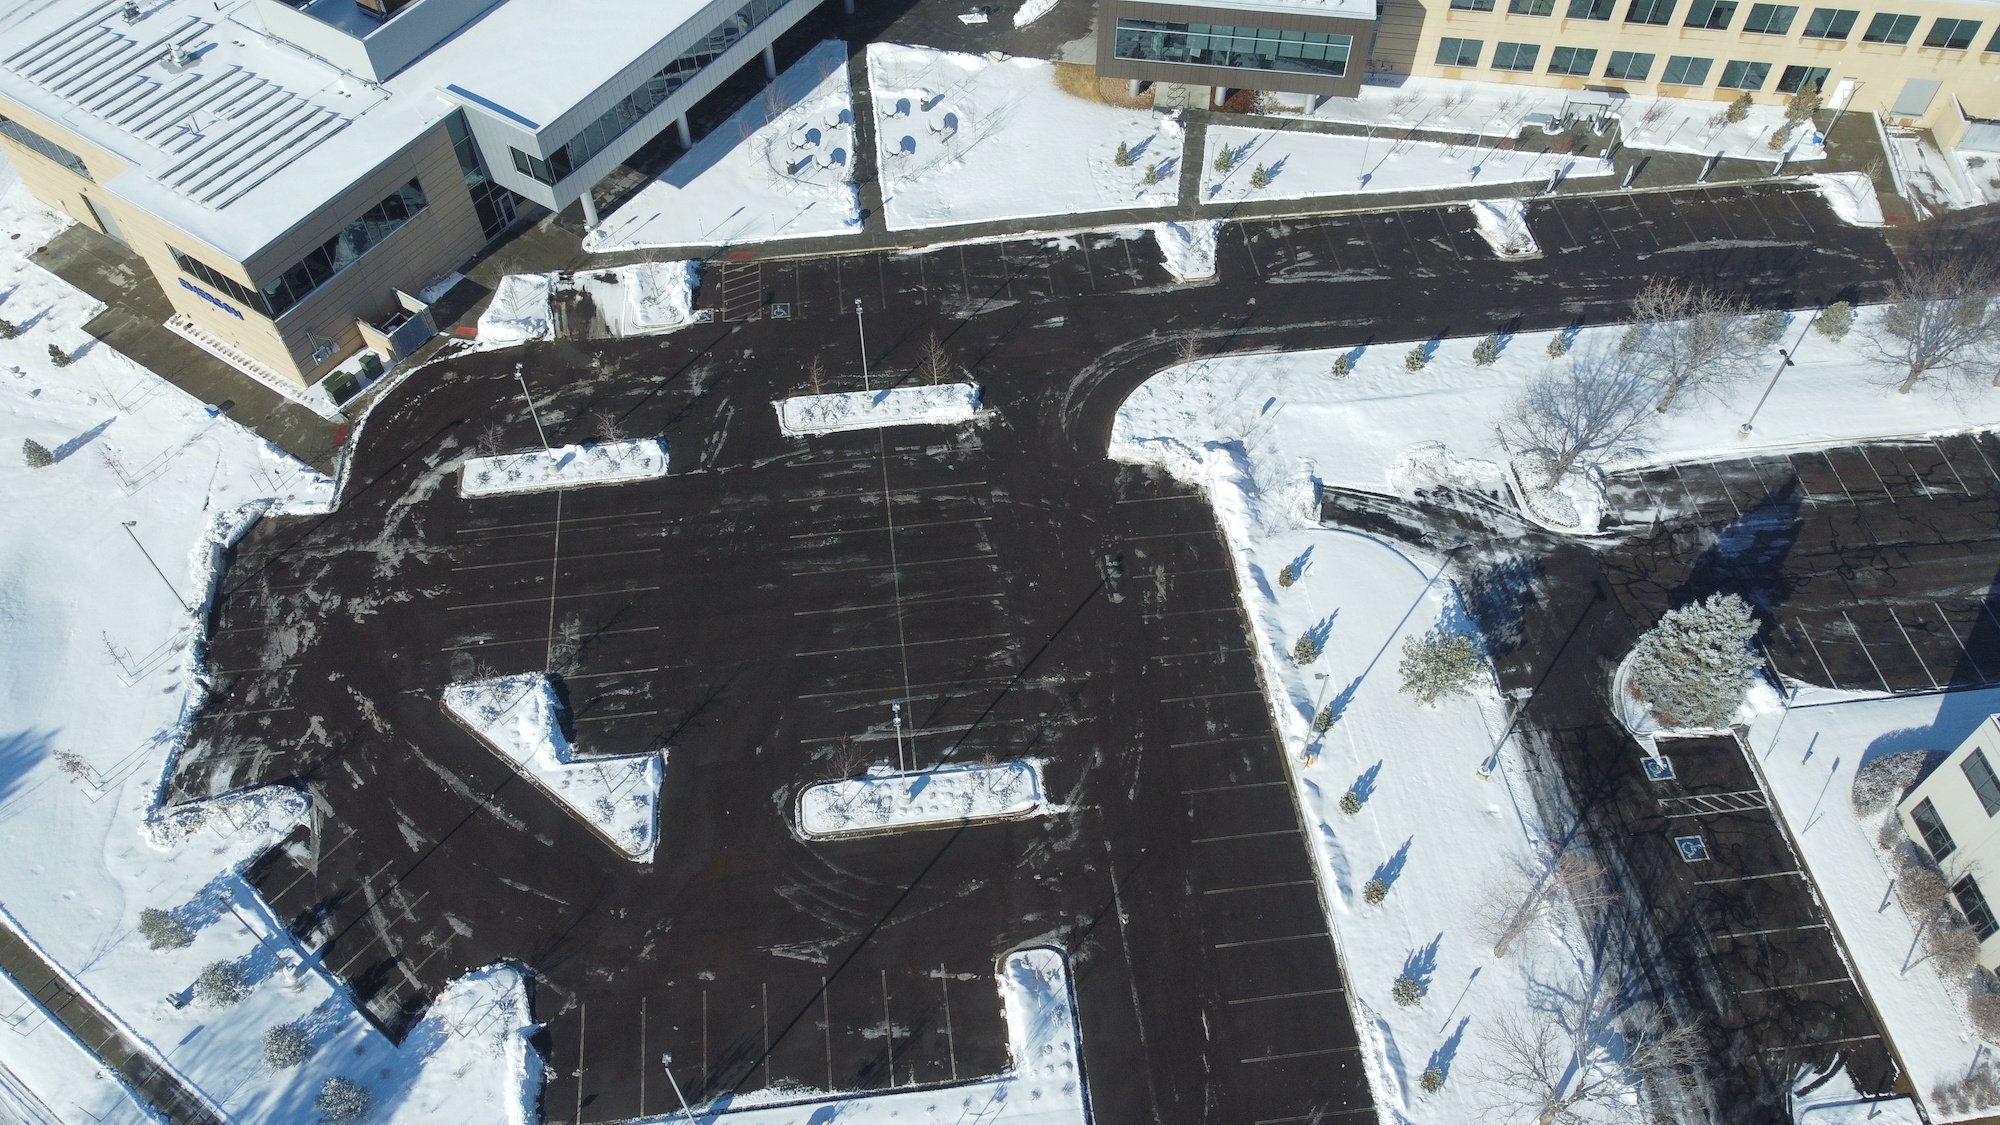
619 798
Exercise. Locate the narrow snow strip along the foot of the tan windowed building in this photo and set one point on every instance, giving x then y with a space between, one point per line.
1497 109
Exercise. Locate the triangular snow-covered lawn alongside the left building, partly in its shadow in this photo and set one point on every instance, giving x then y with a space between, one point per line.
779 169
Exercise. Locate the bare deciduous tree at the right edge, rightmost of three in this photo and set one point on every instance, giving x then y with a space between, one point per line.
1939 319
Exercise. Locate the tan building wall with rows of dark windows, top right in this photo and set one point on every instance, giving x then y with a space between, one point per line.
1881 71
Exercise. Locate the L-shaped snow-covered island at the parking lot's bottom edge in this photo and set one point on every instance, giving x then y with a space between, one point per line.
1043 1084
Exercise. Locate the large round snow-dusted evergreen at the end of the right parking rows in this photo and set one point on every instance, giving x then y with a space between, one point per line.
1695 666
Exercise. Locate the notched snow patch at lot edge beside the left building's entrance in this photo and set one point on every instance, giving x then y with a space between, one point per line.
631 301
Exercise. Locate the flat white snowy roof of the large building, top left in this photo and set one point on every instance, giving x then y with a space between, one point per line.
253 135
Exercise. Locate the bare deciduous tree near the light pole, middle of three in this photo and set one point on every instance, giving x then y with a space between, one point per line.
1691 335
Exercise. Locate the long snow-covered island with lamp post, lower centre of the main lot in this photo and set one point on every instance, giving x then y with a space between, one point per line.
885 802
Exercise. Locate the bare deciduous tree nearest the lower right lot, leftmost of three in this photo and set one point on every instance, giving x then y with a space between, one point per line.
1587 409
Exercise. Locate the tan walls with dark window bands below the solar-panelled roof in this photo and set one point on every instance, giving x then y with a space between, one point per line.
435 241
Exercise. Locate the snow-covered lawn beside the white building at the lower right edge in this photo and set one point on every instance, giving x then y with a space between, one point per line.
1809 758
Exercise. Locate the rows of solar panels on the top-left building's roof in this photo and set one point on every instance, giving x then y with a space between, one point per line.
223 129
